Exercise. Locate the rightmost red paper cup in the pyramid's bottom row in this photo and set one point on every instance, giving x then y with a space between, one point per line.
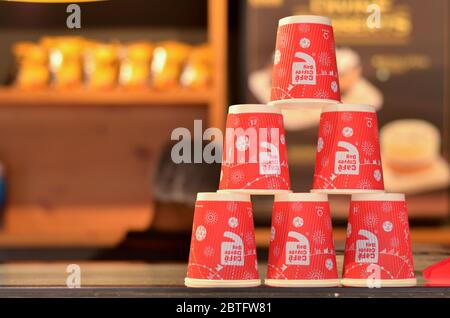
378 247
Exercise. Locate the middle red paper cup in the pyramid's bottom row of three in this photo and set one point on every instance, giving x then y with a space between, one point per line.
301 252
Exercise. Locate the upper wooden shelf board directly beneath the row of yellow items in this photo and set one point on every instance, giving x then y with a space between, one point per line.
12 97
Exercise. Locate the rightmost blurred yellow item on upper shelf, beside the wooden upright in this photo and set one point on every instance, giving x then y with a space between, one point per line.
197 73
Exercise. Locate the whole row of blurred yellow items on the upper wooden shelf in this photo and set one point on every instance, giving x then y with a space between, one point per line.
68 62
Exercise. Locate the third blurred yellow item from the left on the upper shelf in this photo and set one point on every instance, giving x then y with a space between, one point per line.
101 65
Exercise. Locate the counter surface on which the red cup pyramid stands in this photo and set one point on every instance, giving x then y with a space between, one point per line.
131 279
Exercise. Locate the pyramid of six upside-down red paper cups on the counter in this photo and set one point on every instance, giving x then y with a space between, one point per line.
301 253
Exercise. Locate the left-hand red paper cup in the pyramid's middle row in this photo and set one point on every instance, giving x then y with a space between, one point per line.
255 155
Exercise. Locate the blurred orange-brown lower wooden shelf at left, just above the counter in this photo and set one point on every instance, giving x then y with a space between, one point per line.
98 226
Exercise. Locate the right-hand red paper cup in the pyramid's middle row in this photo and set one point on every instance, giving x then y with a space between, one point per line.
348 152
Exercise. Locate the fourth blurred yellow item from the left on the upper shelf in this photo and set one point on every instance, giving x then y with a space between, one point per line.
135 64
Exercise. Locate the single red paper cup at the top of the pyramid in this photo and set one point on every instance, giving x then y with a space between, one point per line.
305 71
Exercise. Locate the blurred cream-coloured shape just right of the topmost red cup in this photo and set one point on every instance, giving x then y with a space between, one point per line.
355 89
